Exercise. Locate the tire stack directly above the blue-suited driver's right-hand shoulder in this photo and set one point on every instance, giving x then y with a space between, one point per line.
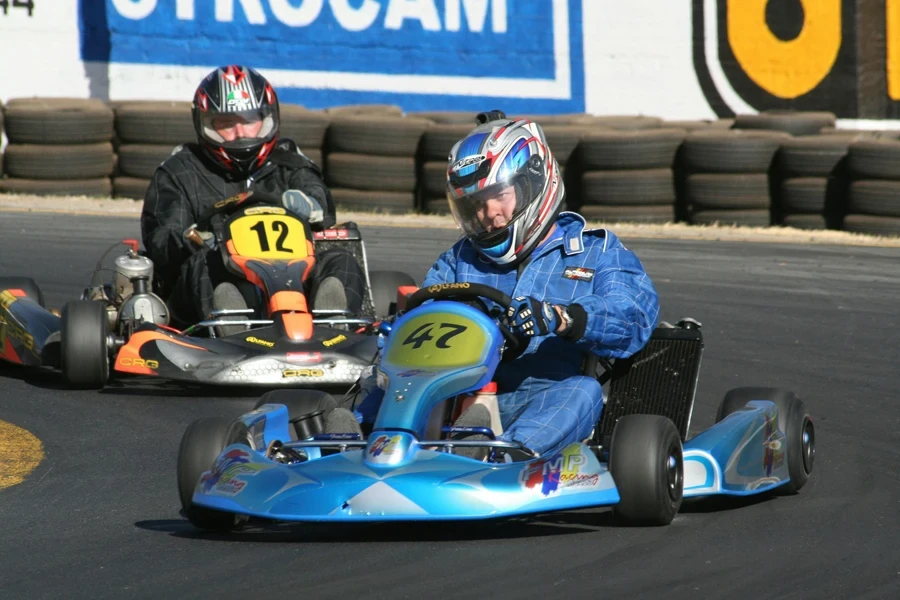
628 170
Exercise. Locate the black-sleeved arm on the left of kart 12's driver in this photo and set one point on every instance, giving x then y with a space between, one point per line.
166 214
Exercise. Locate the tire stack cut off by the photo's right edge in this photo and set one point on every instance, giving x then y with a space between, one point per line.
873 201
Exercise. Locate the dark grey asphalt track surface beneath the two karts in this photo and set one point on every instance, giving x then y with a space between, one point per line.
99 517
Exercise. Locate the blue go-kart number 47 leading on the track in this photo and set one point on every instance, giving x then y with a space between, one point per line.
276 462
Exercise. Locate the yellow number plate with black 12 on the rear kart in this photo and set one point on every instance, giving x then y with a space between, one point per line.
269 236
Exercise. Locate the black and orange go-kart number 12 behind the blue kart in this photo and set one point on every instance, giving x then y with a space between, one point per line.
122 327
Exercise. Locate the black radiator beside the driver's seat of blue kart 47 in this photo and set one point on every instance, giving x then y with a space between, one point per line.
661 379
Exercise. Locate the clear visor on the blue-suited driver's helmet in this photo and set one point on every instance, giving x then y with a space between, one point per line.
488 211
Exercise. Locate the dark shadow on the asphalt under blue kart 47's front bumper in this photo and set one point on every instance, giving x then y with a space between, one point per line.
449 531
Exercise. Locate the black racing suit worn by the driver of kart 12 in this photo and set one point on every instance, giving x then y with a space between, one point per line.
186 185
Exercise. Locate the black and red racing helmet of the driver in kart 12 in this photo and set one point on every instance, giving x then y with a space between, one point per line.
236 118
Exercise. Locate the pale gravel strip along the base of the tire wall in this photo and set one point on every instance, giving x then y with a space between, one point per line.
787 235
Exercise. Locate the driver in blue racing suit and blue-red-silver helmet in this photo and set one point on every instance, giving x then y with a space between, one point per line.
574 291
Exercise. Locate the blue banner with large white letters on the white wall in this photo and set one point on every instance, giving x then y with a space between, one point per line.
520 55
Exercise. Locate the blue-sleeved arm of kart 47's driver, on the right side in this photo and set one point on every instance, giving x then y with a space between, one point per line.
616 320
